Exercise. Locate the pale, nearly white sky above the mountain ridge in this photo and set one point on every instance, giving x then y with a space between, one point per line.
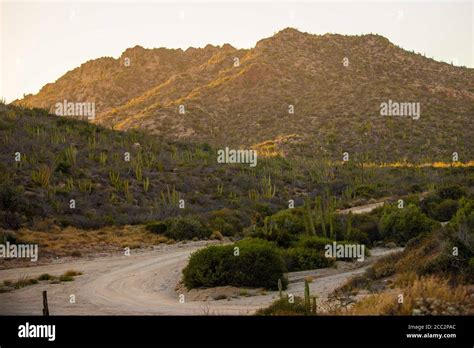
40 41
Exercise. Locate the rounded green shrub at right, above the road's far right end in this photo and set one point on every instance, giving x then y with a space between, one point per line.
400 225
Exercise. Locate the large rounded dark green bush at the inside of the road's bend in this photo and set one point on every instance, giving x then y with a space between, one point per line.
259 264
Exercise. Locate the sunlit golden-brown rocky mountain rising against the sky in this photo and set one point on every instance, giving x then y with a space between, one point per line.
335 85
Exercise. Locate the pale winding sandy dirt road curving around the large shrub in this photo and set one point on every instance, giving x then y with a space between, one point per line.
144 284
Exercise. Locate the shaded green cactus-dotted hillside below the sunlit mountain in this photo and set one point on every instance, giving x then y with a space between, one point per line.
48 160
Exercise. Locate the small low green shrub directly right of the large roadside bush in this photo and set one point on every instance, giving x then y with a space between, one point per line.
300 259
